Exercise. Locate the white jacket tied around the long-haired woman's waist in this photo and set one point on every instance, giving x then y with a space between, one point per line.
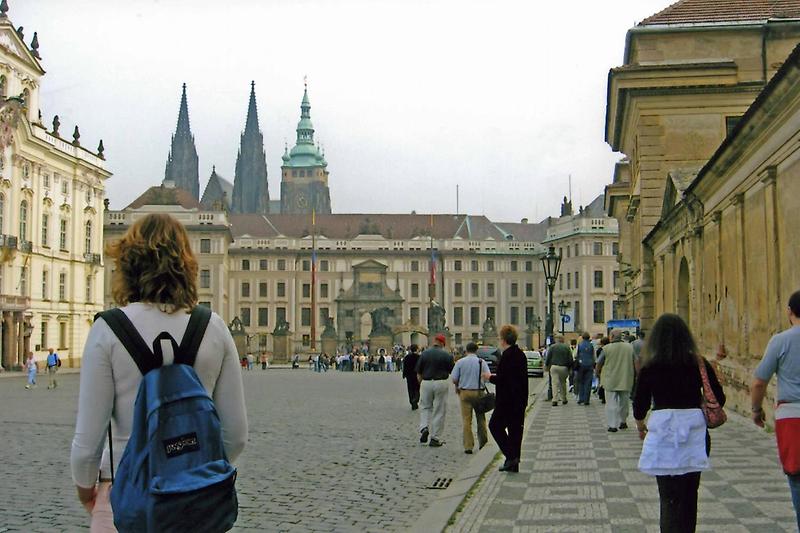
675 443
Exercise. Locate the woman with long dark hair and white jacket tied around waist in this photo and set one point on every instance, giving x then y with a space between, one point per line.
676 441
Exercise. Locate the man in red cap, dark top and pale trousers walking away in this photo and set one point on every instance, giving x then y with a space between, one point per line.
433 371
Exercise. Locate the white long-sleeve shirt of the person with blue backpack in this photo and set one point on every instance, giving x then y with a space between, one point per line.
110 380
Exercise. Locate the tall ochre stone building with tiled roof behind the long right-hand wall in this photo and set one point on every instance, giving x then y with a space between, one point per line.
689 74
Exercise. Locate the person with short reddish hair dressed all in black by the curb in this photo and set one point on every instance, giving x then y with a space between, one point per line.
511 381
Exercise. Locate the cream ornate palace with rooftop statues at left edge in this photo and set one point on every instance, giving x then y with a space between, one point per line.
51 205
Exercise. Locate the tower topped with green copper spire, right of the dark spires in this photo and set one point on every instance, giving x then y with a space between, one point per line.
304 180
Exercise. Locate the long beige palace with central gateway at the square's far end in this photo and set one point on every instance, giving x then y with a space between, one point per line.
372 268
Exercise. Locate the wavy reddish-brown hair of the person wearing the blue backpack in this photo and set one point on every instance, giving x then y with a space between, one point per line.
155 264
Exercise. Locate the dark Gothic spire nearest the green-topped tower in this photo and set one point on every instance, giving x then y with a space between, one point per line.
250 186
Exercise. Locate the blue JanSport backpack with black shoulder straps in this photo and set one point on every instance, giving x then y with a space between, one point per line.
174 475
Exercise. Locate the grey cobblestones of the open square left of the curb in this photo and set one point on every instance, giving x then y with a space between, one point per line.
327 452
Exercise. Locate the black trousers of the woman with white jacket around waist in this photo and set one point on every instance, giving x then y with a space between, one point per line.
678 495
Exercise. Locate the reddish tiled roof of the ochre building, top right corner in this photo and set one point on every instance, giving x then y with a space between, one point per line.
730 11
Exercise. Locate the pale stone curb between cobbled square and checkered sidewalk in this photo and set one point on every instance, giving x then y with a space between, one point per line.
445 504
